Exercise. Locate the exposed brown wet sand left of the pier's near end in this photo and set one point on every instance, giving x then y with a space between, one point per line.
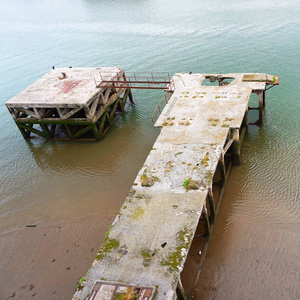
46 261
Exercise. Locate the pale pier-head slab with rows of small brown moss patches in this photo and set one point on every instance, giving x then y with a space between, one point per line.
197 106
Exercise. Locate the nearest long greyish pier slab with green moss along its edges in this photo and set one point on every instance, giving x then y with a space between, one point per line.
148 242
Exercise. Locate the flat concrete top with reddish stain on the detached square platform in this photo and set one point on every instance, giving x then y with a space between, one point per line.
77 89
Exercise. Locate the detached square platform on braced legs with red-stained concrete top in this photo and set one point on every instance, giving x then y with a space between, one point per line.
71 100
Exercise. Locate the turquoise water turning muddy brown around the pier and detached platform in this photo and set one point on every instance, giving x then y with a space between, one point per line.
259 216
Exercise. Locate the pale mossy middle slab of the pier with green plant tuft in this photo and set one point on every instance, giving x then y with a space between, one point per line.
169 165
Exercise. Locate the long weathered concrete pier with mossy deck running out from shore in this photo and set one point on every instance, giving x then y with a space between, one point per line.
149 241
